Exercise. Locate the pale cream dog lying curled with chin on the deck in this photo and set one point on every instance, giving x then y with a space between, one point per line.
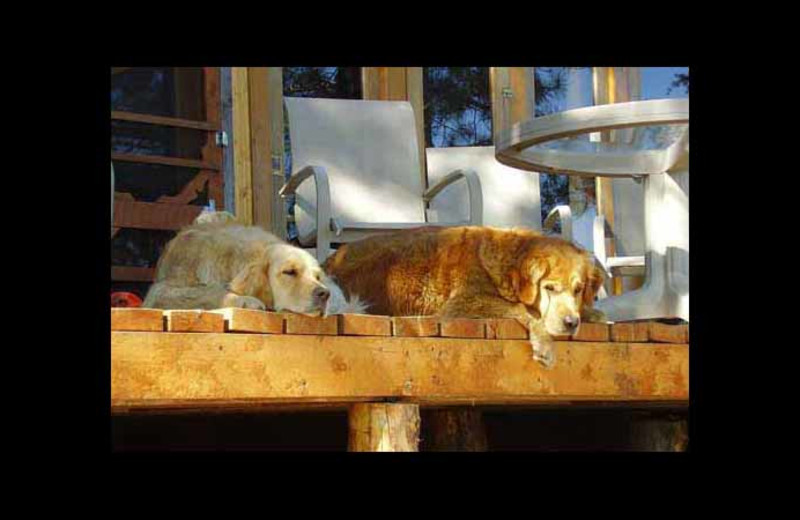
217 263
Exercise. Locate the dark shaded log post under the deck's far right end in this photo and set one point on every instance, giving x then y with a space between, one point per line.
658 432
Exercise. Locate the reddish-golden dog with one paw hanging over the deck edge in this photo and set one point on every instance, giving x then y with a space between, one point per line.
474 272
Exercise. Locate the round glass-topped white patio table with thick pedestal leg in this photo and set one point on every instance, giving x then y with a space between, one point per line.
641 139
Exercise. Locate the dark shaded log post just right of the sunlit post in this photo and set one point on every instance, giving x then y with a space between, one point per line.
455 430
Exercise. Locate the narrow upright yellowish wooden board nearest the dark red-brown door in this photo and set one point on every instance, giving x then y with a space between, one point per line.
242 165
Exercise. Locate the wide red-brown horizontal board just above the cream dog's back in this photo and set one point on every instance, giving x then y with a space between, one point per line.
153 215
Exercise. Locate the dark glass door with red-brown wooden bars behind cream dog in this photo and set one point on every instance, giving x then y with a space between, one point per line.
166 163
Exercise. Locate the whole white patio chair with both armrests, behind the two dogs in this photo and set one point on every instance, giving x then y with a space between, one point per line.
361 164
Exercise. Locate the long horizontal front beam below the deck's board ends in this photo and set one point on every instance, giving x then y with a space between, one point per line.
152 369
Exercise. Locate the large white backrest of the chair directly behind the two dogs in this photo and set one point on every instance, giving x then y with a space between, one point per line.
369 150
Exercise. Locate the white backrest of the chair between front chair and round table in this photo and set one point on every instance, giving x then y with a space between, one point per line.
510 196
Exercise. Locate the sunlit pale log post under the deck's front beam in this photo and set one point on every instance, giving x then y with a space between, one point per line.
384 427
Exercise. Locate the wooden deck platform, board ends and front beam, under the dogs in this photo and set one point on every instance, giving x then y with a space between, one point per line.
237 359
